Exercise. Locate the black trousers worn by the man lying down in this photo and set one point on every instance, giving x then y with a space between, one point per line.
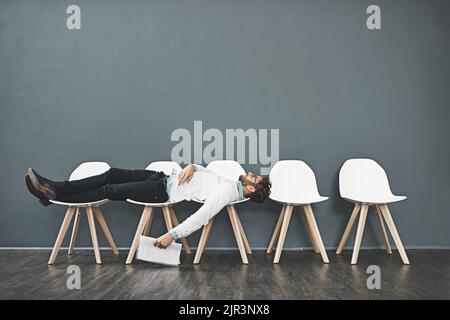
115 184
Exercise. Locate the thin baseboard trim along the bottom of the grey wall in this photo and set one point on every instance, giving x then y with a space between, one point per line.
235 248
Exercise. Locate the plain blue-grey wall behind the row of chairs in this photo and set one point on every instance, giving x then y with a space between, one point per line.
137 70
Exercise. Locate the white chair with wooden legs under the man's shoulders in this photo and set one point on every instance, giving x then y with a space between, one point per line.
229 169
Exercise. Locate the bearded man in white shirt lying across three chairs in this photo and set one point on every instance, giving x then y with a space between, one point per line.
194 182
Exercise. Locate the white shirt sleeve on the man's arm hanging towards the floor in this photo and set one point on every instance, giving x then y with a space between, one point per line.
201 217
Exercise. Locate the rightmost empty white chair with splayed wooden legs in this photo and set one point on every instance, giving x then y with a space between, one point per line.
364 183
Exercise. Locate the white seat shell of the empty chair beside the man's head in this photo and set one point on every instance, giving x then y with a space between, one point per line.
293 179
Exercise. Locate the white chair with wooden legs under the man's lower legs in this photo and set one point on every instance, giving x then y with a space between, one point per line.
84 170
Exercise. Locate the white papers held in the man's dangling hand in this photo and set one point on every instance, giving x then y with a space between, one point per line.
148 252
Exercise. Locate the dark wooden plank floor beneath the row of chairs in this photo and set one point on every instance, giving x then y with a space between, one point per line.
221 275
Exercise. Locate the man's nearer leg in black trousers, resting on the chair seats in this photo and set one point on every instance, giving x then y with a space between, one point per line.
150 190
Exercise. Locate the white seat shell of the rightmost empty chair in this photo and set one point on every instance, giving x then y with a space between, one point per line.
362 179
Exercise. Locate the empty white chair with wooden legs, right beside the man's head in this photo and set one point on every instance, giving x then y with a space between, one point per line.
294 184
